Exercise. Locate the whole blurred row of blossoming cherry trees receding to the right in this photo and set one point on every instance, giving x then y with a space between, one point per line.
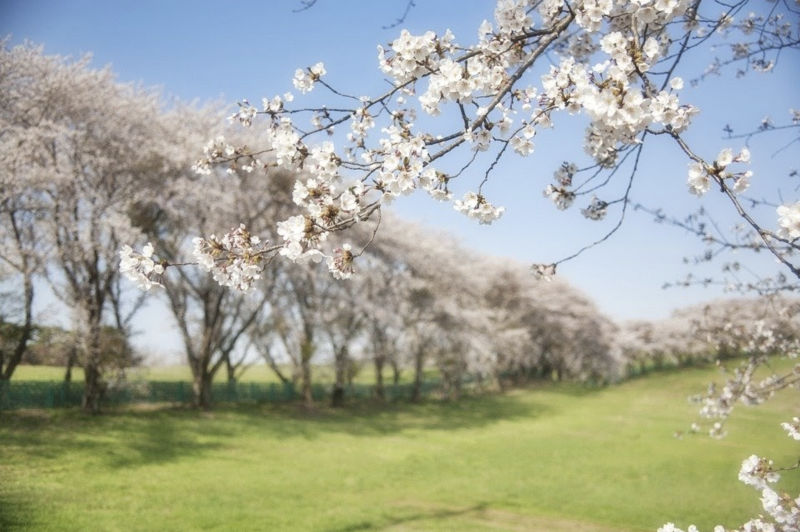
88 164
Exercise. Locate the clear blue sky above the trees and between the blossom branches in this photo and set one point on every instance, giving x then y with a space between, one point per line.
226 51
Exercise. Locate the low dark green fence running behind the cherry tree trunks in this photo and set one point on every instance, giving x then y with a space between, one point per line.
47 394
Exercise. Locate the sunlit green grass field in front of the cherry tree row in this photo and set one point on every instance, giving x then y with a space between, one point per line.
556 457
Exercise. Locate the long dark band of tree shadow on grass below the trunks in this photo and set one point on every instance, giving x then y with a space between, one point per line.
133 437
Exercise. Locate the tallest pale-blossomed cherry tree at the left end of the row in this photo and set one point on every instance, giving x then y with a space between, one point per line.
79 150
